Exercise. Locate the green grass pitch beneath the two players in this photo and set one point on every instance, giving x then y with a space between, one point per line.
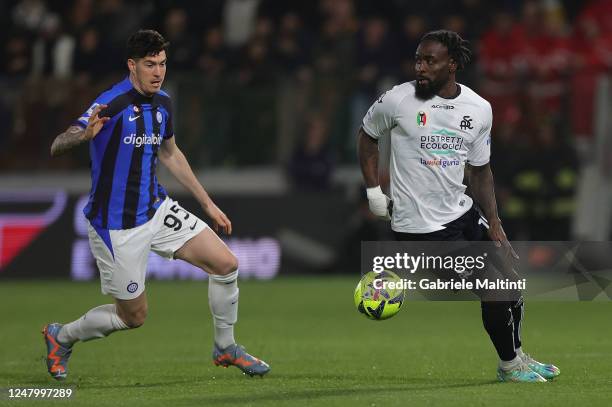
322 352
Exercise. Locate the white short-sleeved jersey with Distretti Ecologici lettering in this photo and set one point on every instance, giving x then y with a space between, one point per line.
431 141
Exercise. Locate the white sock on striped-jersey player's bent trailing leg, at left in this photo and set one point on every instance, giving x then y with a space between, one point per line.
96 323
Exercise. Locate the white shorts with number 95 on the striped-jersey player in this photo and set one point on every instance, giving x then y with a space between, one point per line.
122 271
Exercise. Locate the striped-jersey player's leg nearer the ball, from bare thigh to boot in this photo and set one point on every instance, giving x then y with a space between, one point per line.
208 252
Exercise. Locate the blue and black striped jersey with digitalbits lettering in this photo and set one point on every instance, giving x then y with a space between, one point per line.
124 188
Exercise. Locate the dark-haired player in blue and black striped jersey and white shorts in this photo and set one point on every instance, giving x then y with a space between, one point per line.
129 129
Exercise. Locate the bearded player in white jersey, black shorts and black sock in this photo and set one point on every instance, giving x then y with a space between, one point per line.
437 128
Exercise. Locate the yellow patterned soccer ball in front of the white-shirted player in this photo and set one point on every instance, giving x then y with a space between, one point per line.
378 303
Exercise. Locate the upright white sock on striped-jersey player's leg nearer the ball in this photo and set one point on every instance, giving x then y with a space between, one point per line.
223 302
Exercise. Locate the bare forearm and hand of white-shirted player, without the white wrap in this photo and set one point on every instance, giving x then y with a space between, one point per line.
483 191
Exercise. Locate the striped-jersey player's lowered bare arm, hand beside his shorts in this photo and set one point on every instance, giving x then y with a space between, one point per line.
174 159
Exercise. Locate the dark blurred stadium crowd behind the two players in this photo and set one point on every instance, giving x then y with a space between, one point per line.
286 83
